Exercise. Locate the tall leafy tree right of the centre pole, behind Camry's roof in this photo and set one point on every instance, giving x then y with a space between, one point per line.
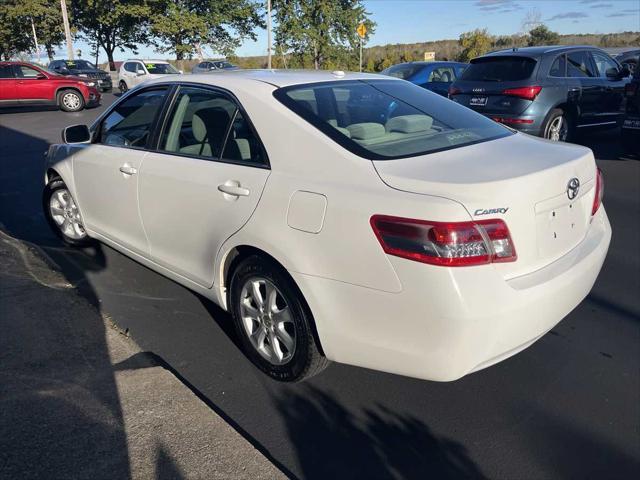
321 33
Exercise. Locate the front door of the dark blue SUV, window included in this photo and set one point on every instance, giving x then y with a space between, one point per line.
612 85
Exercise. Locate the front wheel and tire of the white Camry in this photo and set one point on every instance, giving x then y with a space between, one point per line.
68 223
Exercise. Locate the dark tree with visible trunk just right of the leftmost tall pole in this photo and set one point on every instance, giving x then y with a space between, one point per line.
113 24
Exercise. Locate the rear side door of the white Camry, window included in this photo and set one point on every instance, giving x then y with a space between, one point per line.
203 182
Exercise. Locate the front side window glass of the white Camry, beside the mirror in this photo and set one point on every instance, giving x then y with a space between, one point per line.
129 124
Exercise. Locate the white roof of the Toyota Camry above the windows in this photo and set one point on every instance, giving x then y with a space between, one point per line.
282 78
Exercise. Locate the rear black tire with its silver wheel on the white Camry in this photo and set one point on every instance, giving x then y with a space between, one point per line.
261 325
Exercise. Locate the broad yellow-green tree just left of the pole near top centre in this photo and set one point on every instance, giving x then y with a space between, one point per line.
179 25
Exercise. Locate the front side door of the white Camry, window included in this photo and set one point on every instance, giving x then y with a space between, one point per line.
106 172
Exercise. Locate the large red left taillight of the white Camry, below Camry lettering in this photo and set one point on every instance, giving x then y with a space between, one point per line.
448 244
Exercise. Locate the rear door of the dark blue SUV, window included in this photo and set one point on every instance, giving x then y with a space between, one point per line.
580 66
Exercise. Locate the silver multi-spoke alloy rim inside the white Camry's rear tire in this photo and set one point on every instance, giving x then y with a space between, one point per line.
267 320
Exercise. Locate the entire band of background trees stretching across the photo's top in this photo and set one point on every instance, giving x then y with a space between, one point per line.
307 33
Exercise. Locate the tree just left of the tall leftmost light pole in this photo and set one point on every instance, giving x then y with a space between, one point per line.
46 18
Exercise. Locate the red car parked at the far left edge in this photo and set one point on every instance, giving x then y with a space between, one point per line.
26 84
